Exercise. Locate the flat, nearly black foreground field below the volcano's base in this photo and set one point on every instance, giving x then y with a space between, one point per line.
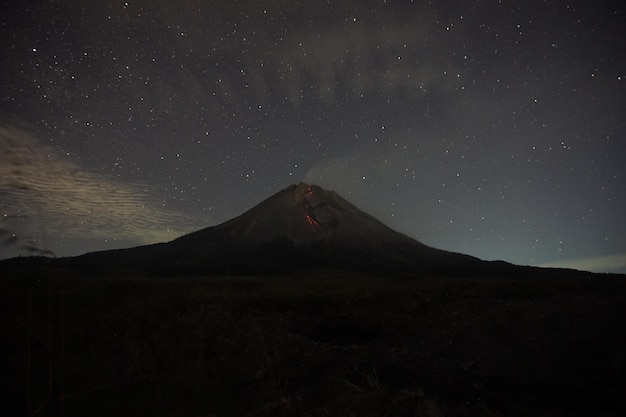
318 344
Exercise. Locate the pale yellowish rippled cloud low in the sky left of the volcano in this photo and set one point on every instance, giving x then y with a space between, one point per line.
40 188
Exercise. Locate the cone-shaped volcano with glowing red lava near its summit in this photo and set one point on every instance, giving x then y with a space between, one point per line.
300 227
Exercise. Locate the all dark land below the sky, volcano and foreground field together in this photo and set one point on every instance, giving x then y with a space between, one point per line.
306 306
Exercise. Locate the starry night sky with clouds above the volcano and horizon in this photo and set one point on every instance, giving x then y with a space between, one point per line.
491 128
